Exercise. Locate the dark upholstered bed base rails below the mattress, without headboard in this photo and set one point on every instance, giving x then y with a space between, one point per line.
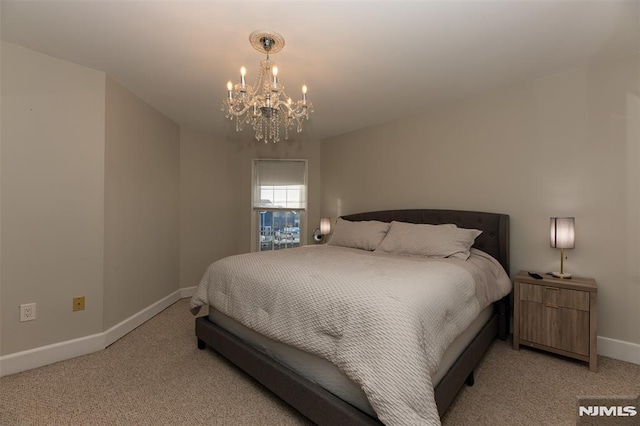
321 406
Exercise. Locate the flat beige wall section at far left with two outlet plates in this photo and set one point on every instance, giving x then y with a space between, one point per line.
52 198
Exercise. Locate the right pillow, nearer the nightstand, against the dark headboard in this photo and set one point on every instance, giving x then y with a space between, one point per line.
428 240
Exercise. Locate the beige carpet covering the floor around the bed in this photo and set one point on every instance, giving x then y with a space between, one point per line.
156 376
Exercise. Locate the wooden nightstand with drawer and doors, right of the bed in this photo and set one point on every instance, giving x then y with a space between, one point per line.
557 315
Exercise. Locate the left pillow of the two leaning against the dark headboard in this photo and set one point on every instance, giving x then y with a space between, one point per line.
365 235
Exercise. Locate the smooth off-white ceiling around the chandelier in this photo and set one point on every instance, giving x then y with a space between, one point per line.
365 62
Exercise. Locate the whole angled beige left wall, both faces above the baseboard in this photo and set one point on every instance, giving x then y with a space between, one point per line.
90 201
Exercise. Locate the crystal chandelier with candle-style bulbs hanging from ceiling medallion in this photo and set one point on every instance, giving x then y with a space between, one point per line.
265 105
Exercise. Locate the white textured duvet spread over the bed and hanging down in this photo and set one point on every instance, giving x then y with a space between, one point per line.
384 320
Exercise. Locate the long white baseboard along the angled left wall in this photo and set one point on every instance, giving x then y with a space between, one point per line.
45 355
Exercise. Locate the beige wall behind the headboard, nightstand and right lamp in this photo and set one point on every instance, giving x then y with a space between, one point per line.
562 145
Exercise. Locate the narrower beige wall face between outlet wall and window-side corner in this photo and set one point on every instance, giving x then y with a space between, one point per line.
142 180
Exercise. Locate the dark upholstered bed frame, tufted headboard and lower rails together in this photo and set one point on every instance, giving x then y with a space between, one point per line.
324 408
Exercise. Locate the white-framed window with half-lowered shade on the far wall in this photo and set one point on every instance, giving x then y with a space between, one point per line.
279 204
